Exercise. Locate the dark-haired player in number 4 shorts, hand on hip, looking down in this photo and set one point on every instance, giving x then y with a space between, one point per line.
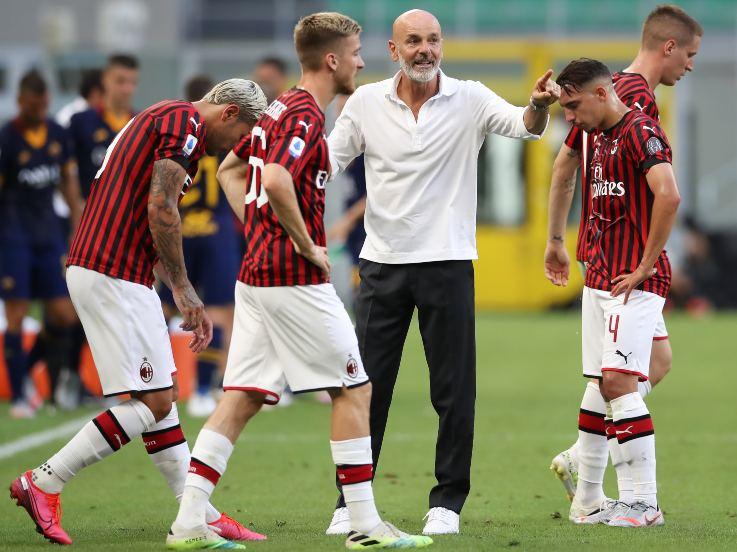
634 199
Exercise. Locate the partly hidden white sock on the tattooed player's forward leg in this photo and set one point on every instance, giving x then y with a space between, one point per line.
167 447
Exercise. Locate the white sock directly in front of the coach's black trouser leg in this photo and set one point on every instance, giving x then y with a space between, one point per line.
354 466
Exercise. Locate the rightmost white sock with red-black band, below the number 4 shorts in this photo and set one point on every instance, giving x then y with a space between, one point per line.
636 438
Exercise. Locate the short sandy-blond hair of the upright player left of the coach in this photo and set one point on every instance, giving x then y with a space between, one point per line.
316 34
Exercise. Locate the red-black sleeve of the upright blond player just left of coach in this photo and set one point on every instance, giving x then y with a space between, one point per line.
294 141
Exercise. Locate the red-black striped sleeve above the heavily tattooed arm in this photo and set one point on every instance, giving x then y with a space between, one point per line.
179 135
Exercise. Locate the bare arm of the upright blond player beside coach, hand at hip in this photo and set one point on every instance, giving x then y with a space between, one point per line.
279 187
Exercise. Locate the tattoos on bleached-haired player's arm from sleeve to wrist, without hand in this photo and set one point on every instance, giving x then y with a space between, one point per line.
167 181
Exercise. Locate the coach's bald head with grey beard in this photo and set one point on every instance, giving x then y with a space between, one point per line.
417 45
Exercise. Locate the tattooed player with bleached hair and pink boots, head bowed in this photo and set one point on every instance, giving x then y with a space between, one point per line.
130 224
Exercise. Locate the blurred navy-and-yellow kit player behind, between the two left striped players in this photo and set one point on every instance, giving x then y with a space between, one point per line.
211 253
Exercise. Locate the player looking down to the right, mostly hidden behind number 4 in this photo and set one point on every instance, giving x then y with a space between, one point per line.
670 40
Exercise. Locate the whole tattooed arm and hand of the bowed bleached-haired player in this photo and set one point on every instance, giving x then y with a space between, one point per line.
167 180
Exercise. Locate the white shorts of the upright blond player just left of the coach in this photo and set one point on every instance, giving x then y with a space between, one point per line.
296 335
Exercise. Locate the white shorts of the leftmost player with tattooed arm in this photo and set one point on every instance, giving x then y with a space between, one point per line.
126 330
